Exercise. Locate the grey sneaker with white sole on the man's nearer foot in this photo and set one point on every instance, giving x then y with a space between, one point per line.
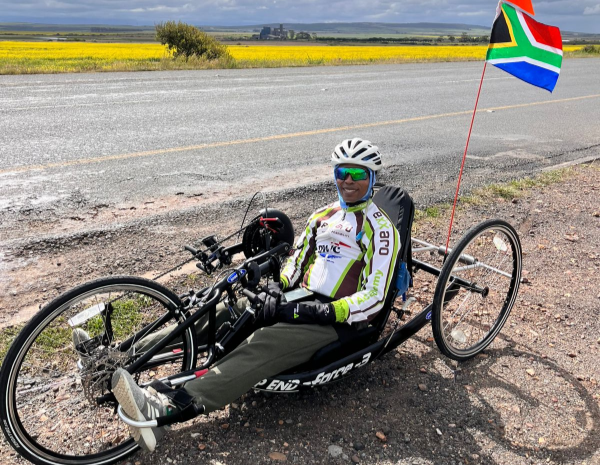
141 405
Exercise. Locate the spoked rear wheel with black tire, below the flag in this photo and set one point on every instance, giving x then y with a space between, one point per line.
477 289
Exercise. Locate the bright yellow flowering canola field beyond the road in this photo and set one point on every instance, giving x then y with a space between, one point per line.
56 57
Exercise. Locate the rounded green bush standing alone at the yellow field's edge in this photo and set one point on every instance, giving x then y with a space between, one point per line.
185 40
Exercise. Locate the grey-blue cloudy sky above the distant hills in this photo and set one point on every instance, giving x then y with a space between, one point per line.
572 15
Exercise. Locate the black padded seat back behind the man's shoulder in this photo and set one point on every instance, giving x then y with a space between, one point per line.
399 206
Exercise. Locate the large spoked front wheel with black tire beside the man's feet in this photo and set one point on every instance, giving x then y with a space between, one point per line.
40 372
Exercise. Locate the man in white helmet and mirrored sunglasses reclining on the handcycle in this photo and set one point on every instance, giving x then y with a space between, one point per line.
342 268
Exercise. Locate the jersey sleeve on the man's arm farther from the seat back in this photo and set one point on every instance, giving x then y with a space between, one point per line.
304 251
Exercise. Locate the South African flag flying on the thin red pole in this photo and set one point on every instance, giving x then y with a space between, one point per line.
526 49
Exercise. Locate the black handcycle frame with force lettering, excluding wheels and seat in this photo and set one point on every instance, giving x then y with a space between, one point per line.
287 382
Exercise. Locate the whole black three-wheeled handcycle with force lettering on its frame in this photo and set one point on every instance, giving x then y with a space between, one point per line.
56 406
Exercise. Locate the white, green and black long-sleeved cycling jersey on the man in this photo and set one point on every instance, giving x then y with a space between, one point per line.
348 255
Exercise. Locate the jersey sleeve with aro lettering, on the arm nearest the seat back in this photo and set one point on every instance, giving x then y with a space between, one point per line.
382 242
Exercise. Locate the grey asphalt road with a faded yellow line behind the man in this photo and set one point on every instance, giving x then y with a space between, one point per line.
124 138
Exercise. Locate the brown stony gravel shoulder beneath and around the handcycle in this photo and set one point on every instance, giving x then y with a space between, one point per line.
533 397
